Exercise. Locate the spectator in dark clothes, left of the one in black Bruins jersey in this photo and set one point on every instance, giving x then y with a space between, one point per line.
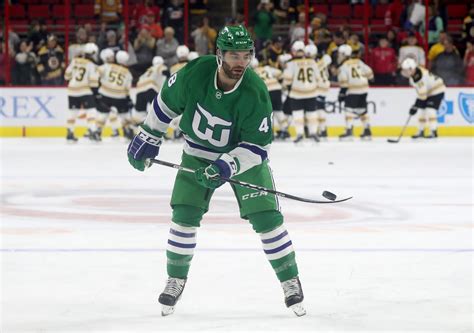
24 72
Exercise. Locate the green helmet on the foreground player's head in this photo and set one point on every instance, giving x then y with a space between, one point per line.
234 38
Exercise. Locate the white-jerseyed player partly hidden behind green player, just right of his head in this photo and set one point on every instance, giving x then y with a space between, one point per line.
271 77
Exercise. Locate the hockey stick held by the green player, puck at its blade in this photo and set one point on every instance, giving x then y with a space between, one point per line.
328 195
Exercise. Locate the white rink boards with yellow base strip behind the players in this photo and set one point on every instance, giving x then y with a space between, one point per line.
41 112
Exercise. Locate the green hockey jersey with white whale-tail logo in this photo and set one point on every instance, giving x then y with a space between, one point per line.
237 122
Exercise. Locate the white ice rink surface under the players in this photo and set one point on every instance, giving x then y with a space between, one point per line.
83 237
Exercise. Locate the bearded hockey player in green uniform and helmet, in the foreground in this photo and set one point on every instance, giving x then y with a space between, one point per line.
226 121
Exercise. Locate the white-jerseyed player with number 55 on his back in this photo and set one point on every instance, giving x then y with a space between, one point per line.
115 84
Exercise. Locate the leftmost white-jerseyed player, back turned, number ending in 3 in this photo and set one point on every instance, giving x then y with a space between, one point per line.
83 78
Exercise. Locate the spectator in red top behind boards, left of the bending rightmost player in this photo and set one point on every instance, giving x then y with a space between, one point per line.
383 61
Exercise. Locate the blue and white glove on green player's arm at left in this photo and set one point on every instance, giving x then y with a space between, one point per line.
146 144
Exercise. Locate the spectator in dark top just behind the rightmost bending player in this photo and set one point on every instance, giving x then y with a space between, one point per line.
449 65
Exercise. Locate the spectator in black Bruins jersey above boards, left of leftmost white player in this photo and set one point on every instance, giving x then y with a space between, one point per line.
51 63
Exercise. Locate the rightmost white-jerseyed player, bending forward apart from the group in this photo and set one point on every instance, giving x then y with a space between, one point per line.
430 94
